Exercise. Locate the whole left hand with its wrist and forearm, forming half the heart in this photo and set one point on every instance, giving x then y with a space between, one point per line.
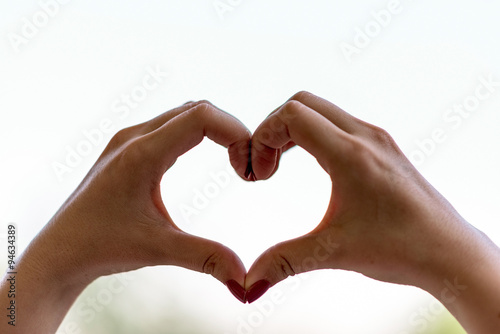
116 221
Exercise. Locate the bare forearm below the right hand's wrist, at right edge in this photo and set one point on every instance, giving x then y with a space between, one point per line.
469 285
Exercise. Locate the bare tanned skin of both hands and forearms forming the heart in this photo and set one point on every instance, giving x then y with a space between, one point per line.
384 219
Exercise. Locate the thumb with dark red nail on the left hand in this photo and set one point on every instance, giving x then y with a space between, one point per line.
209 257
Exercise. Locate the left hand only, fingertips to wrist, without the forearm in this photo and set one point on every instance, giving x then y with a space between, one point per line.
116 221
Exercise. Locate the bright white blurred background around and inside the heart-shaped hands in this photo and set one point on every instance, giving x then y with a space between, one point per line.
68 77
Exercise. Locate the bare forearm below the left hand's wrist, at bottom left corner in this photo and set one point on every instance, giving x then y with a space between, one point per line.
40 292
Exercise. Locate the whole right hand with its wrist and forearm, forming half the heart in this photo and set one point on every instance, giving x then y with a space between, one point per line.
384 219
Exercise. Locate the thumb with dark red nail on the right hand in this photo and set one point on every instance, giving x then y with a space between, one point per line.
310 252
